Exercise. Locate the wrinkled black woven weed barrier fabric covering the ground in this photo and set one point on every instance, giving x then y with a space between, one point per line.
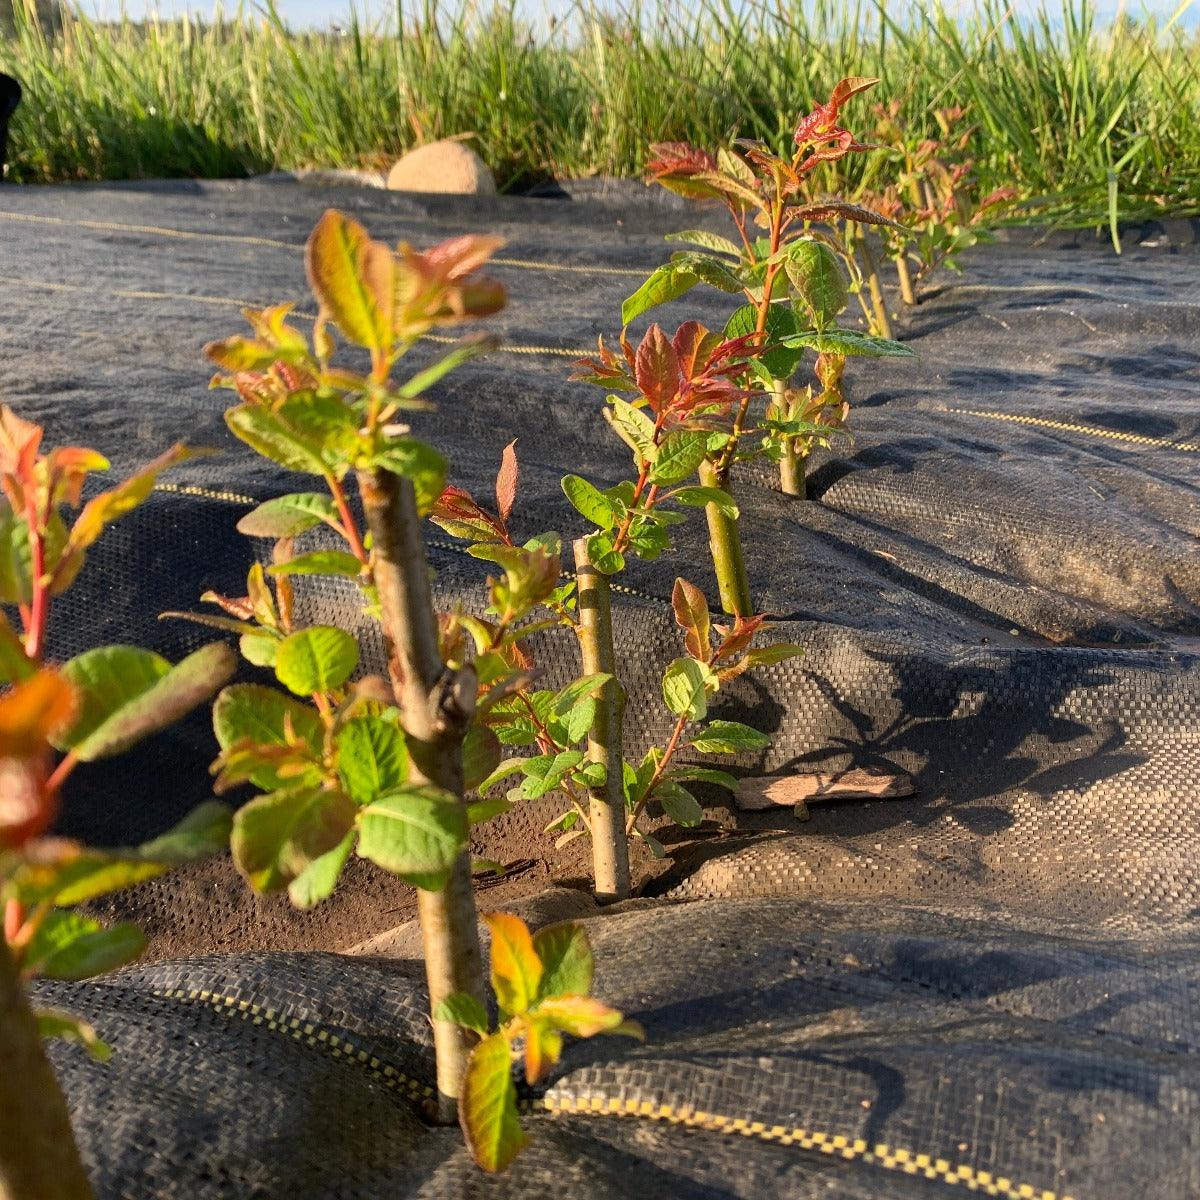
988 987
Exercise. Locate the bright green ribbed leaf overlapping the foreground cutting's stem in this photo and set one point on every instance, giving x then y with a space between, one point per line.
417 833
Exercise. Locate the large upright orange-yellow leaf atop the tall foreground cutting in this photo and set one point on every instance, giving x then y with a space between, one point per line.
355 279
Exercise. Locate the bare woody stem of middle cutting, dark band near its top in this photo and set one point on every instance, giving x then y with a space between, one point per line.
610 847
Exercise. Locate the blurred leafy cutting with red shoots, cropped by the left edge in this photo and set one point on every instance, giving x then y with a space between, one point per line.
55 718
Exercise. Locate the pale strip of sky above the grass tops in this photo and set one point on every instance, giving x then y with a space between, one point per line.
323 14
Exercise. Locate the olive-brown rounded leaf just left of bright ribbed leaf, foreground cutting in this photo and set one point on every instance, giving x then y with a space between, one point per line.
278 837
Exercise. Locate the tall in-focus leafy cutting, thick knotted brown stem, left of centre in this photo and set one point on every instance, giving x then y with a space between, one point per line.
381 767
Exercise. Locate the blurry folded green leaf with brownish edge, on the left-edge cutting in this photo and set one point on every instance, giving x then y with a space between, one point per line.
128 693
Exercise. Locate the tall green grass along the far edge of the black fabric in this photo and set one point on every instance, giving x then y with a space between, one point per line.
1063 106
